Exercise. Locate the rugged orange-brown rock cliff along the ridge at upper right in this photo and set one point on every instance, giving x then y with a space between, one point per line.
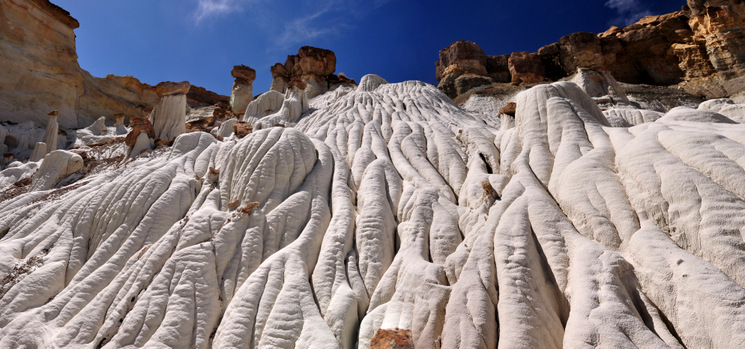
699 49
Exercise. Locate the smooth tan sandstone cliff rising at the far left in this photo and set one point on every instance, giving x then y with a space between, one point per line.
41 73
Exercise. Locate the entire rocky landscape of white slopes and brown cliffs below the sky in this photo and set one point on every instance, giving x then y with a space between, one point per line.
561 199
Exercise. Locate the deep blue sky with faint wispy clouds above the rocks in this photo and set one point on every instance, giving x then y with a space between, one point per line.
201 40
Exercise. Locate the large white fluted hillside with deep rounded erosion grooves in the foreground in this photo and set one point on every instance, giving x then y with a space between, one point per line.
388 207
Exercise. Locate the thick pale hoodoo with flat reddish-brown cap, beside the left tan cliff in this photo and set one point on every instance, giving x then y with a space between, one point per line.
169 116
